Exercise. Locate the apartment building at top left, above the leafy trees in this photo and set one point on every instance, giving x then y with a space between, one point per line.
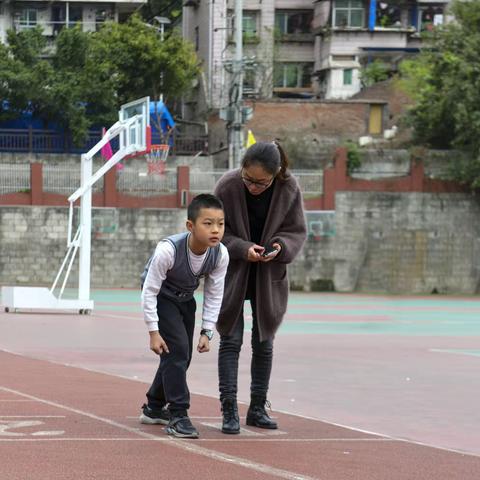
52 16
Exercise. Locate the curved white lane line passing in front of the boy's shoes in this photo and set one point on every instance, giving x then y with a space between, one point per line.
181 444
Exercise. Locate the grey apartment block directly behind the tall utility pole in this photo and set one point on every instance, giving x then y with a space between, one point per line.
278 46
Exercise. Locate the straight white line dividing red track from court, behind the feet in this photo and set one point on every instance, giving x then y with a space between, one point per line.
317 419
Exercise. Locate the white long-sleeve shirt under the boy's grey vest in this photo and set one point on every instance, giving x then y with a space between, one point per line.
163 260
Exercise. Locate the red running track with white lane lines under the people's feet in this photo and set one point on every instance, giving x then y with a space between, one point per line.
60 423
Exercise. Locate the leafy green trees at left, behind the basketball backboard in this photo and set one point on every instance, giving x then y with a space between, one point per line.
89 75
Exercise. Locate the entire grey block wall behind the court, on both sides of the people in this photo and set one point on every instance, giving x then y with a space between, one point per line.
383 242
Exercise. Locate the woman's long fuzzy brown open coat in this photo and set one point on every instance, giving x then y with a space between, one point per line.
285 224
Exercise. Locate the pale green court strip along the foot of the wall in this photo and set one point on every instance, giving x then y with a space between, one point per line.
349 314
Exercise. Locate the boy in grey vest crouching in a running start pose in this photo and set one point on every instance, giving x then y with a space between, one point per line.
173 275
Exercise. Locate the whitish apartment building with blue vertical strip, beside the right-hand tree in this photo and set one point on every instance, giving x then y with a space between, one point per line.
352 33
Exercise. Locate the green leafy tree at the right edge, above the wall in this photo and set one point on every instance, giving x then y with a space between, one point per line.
444 82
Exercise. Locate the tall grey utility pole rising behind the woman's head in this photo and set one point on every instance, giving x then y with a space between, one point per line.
236 131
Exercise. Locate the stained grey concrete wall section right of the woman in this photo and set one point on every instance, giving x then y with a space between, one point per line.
397 243
